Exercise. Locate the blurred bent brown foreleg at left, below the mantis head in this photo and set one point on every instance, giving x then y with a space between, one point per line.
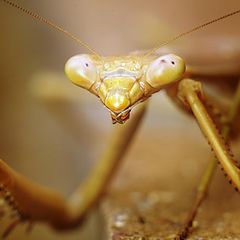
37 203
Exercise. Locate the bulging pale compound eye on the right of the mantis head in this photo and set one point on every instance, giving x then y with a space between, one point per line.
165 70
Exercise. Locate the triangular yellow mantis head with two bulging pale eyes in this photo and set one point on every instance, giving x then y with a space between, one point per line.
122 82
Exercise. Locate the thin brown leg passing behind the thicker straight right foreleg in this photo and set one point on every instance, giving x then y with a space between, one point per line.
208 174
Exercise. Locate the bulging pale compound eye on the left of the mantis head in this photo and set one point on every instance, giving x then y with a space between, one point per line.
82 71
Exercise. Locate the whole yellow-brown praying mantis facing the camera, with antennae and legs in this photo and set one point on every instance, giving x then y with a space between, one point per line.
121 83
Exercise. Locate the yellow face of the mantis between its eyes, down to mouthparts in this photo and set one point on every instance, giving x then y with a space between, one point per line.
119 88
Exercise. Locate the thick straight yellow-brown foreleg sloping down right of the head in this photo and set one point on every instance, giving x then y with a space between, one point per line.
191 94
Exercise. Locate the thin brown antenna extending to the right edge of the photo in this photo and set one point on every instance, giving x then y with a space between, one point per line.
191 31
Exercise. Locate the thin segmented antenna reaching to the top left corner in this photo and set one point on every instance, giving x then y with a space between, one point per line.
51 24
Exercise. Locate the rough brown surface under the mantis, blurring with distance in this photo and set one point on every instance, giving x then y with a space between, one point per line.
154 189
